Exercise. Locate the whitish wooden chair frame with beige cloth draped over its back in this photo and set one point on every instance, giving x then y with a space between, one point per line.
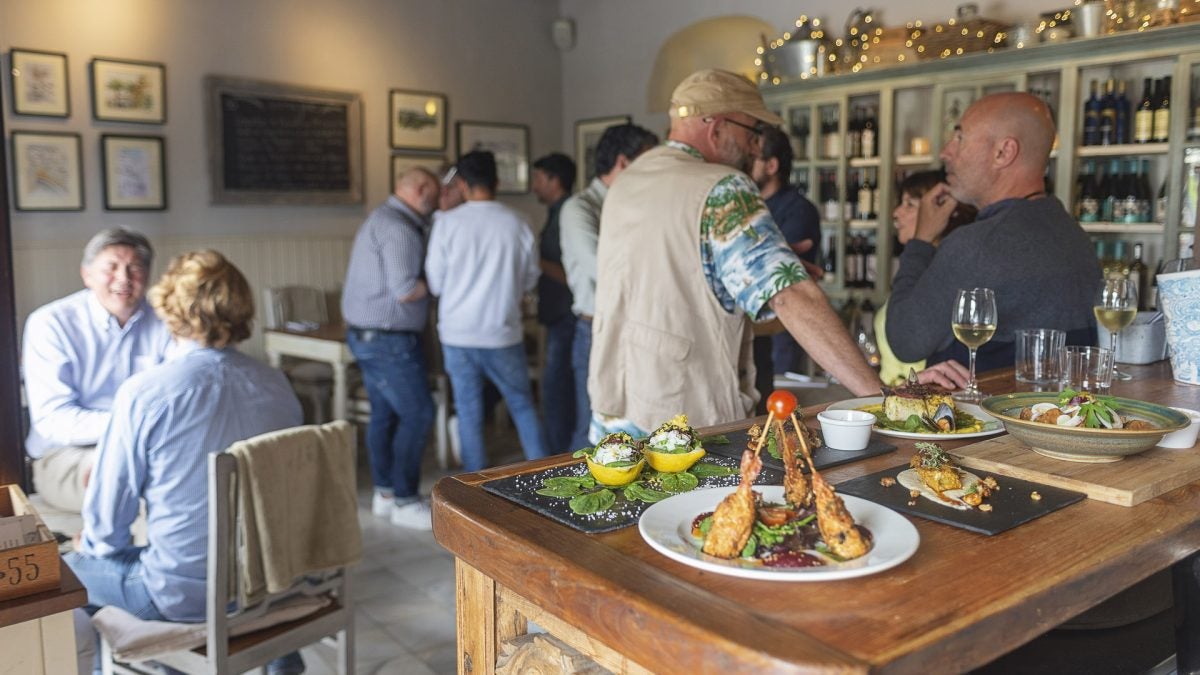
237 640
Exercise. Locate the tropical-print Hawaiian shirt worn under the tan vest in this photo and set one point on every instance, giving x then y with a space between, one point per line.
746 260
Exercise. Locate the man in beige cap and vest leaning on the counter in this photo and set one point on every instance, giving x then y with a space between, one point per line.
688 256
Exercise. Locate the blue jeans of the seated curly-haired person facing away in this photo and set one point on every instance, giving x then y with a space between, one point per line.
117 581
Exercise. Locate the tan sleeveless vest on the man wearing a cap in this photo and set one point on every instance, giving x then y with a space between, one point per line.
662 344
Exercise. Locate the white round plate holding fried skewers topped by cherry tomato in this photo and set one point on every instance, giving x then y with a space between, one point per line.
667 528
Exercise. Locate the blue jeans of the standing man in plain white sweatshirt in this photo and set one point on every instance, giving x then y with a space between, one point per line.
506 368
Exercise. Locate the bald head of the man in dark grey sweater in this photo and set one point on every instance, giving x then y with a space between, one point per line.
1000 150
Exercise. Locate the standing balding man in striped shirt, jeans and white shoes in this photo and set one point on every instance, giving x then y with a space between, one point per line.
386 306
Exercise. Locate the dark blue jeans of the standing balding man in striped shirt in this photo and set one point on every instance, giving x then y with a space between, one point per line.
401 408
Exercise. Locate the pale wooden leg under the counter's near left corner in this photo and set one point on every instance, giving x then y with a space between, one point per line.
476 618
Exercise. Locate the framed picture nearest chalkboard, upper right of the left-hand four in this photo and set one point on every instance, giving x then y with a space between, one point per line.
129 92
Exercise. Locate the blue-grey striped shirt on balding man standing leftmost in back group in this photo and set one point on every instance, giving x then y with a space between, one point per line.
386 265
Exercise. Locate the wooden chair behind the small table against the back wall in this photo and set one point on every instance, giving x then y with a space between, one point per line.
295 306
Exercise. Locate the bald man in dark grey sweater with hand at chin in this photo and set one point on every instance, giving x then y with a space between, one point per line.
1024 244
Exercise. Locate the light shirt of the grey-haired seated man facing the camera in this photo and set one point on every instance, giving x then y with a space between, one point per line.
75 355
